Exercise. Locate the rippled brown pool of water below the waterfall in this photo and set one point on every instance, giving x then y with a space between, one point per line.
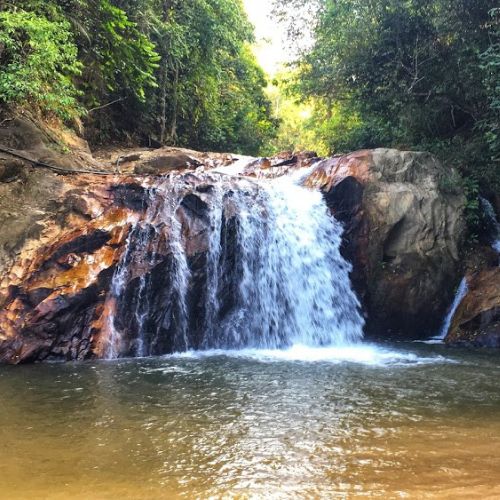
379 422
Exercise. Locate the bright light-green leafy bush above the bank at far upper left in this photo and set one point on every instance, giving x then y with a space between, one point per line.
38 57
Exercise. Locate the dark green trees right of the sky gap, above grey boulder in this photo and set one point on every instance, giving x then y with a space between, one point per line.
413 74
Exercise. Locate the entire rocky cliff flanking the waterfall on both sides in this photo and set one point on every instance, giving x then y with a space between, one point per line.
65 234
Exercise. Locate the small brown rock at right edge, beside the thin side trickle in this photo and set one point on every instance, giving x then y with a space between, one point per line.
477 319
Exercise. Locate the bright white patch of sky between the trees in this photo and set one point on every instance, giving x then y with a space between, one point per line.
269 49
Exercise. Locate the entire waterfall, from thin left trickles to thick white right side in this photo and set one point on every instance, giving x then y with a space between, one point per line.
230 264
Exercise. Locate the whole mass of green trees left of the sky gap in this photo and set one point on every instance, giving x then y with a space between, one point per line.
169 70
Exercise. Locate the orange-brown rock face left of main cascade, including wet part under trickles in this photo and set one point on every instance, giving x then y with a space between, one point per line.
65 286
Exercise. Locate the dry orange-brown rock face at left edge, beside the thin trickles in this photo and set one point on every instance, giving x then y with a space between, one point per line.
56 264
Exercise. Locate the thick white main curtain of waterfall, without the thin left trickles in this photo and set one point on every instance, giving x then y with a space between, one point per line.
293 283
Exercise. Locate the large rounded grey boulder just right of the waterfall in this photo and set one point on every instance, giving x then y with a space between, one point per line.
403 234
